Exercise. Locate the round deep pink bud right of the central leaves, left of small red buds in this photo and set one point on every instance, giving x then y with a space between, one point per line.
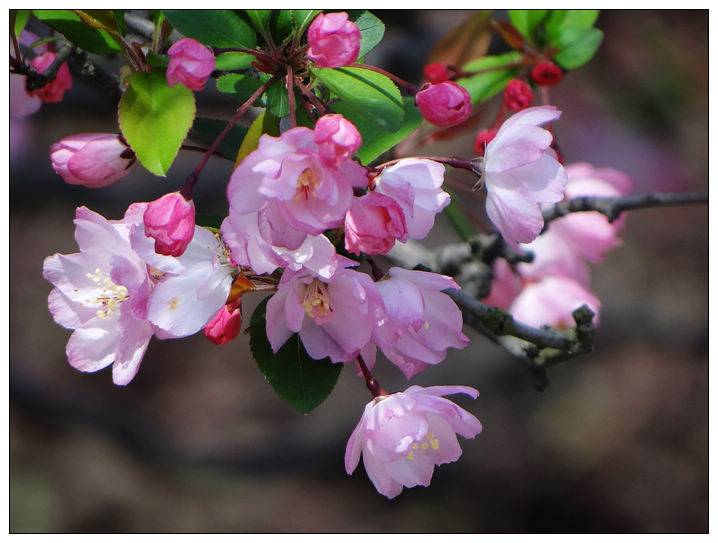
444 104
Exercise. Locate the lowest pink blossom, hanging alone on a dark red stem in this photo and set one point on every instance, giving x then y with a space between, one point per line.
402 436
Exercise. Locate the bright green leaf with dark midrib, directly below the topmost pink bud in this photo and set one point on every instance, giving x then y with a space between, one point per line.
367 93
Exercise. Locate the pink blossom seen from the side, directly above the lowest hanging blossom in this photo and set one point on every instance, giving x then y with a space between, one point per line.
421 321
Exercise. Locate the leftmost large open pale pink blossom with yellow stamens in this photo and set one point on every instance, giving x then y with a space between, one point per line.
102 293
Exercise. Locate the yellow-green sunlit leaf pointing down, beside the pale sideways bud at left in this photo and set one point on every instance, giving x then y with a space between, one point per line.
155 118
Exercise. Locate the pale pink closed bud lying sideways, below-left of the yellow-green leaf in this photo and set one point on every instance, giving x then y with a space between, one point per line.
91 160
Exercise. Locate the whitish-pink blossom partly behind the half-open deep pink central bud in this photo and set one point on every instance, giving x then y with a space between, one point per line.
415 184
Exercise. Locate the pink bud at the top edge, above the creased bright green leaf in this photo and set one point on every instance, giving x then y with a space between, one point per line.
333 40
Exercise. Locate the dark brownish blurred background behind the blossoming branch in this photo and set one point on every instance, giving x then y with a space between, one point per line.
199 442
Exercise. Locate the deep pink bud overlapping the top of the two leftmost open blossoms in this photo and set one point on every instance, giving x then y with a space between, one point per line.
170 221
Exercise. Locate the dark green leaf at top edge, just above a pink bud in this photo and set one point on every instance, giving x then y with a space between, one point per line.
213 27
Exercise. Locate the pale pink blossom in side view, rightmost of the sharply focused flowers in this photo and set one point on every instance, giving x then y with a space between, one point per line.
520 172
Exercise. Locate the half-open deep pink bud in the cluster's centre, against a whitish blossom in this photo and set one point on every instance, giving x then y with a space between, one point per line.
373 224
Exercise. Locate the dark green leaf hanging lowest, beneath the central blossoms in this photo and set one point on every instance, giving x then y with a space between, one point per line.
293 374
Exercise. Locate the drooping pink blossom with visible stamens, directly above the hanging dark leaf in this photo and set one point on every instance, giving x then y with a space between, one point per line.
334 318
